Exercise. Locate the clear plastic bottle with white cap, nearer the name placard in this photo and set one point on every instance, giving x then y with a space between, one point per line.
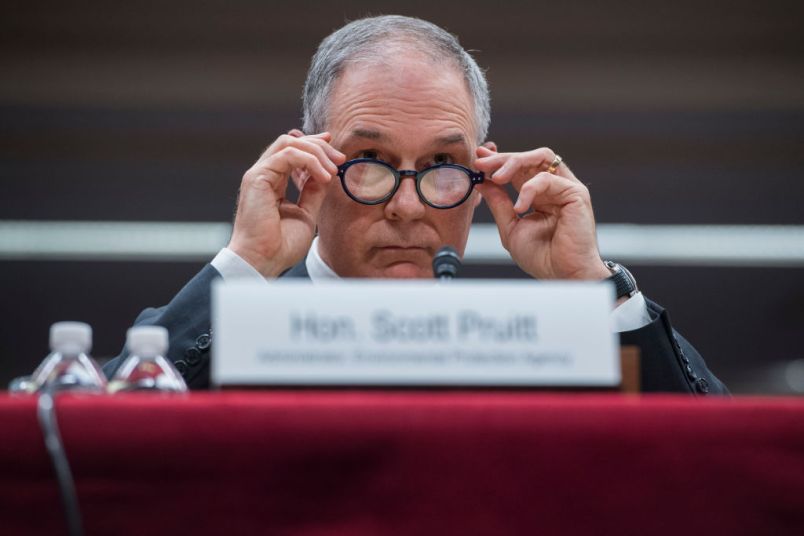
146 368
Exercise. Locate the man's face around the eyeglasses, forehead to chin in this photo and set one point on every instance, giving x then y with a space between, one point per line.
411 114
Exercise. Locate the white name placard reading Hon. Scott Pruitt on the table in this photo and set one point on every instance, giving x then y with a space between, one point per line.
474 333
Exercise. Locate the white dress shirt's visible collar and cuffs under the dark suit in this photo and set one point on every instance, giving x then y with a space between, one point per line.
630 315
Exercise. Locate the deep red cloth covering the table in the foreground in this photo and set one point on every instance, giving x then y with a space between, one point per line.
312 463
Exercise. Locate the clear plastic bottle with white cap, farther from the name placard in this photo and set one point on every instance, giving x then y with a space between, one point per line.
68 367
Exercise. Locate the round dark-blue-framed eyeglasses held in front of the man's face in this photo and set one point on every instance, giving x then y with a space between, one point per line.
372 182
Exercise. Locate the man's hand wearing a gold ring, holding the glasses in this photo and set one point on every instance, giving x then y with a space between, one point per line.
557 239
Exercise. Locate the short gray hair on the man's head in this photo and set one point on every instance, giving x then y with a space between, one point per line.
366 40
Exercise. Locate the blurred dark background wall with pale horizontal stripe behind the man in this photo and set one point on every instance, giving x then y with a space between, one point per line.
126 129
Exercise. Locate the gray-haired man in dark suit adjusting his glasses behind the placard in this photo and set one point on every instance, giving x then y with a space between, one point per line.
389 169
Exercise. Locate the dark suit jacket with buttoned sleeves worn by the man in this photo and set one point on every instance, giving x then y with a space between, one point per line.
668 362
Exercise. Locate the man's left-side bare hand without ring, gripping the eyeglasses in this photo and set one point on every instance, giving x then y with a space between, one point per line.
270 232
